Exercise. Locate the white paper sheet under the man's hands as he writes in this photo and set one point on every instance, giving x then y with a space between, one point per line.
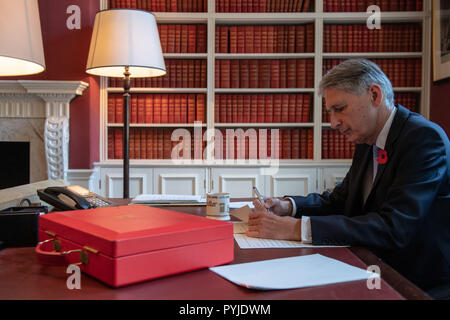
246 242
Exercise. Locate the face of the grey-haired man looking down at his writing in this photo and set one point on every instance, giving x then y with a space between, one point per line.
352 115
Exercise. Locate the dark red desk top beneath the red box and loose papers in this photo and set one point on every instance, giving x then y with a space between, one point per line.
21 277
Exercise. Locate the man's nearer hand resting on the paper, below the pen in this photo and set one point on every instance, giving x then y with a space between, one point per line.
264 224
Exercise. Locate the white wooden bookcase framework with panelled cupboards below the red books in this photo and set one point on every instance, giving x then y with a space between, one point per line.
238 177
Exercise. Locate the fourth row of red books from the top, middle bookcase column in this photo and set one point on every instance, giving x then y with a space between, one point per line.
263 108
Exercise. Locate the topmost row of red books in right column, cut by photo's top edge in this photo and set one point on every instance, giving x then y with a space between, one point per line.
362 5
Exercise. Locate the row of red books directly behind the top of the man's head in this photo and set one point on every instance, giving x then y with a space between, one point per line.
401 72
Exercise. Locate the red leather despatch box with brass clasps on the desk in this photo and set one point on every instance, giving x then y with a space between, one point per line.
129 244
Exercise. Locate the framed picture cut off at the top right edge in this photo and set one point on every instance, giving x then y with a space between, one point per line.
441 39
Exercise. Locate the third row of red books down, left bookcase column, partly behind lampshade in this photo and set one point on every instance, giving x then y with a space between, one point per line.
181 73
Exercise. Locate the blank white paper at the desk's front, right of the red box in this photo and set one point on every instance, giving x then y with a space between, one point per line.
291 273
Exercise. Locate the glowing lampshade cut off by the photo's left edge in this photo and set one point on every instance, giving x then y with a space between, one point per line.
21 48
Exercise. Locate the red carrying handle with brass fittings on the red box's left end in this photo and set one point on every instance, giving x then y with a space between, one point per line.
55 257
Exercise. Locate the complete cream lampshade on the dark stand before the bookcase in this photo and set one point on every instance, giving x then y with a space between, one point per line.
125 37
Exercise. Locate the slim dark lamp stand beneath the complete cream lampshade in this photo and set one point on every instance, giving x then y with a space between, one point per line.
126 133
